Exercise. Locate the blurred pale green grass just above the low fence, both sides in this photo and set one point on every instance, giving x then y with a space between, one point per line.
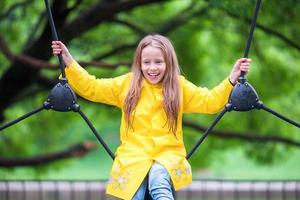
97 166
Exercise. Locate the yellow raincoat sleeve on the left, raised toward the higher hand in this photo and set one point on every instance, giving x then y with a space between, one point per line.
102 90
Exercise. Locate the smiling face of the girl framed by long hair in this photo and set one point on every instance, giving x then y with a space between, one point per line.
153 64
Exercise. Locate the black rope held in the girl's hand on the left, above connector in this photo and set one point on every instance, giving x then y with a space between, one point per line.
55 37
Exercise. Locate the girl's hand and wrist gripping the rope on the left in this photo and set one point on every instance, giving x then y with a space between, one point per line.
59 48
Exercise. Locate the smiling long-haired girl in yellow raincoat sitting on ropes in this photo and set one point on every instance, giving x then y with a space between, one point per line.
152 99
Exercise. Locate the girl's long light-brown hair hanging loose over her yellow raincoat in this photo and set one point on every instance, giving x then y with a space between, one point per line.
170 81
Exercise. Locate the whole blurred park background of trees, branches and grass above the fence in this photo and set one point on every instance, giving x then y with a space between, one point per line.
208 37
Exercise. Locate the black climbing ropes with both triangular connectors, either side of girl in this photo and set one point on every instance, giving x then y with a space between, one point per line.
242 98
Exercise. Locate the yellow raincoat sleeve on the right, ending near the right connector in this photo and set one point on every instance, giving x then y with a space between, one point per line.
202 100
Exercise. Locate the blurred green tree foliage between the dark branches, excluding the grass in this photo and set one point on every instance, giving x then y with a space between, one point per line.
207 46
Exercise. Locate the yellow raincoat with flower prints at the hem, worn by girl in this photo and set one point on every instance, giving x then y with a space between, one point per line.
150 139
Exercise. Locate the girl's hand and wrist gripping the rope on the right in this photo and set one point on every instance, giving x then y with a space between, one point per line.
242 64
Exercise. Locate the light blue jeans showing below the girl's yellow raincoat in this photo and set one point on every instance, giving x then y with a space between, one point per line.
159 184
